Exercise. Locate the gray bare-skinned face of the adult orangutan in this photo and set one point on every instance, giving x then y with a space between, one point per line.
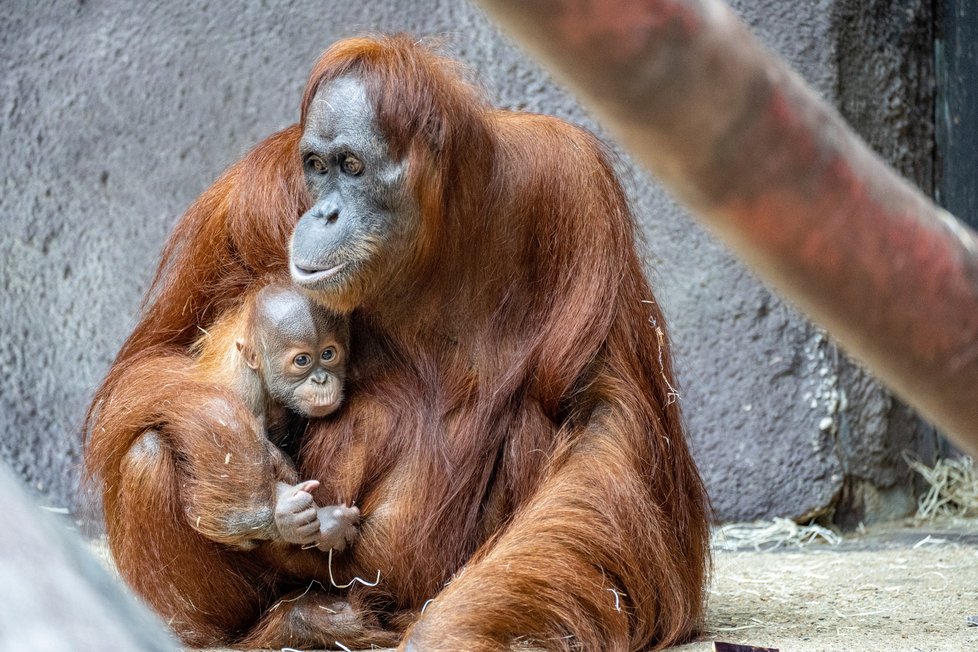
353 235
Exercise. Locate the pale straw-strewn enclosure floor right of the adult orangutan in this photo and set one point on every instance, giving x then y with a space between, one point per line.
896 587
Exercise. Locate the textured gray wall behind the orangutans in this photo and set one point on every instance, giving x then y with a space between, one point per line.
113 118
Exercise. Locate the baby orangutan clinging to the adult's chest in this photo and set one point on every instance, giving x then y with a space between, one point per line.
285 357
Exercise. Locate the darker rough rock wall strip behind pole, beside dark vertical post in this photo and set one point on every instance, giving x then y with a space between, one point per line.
886 90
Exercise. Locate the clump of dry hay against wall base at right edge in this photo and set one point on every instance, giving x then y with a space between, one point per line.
952 488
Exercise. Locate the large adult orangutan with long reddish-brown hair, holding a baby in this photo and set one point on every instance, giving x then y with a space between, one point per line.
511 434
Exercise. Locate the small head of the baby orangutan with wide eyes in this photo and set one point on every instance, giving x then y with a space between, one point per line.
302 353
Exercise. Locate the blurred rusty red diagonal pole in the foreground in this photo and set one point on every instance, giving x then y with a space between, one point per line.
779 176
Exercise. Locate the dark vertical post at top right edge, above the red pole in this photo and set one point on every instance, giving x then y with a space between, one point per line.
957 108
